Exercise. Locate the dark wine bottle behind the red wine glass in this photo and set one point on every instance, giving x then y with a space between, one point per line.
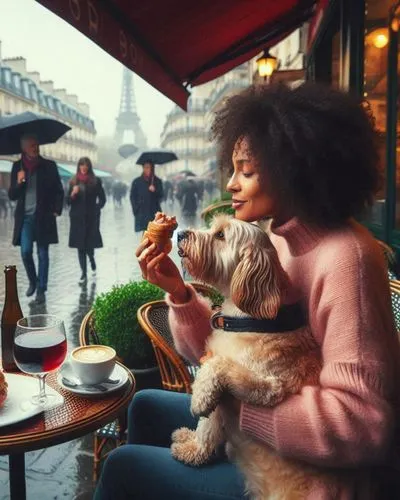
11 314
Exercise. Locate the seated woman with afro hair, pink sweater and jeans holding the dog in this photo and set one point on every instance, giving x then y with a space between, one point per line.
308 158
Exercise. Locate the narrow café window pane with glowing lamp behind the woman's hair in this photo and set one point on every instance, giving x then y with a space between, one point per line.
375 86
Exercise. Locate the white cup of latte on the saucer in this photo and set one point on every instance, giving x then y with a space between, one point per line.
93 364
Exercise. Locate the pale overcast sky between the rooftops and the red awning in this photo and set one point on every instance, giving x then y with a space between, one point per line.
62 54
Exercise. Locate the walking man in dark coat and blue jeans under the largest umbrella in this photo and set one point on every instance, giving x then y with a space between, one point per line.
36 186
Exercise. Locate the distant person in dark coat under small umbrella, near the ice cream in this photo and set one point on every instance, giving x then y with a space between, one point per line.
146 195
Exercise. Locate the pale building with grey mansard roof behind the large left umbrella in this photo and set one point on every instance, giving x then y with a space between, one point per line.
22 90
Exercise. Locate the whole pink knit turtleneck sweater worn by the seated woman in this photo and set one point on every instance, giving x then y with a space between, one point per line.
349 419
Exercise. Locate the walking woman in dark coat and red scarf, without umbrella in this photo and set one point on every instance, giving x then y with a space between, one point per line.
86 197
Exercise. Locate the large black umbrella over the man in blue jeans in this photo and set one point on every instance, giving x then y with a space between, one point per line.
13 127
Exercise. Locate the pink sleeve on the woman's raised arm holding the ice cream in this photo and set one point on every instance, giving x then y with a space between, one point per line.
190 325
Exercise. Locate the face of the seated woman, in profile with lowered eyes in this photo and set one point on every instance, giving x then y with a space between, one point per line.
251 199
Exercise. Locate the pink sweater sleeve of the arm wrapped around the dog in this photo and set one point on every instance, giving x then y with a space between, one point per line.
348 420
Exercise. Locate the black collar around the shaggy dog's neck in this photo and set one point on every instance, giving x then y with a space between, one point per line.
289 318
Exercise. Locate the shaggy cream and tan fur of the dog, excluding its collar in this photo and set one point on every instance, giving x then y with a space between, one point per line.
239 259
